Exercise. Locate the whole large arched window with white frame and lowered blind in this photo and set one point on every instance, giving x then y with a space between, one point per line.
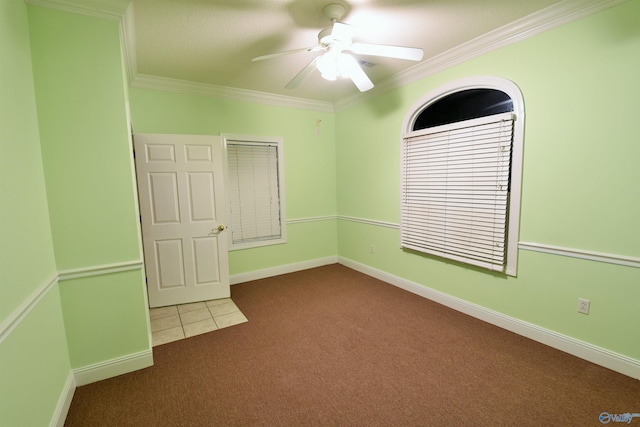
461 173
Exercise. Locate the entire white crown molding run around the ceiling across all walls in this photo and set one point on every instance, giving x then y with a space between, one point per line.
122 10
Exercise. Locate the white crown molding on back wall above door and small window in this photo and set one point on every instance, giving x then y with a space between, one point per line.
183 86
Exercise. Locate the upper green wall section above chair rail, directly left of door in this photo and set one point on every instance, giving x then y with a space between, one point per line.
85 145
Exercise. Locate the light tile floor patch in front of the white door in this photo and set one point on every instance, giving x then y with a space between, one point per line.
176 322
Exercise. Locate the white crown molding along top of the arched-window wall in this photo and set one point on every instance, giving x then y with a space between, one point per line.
551 17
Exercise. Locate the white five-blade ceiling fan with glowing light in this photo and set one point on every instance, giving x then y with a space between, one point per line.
334 63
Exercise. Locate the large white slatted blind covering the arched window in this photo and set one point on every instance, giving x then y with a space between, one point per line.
455 190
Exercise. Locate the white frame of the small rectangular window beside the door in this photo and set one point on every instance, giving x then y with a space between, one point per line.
252 140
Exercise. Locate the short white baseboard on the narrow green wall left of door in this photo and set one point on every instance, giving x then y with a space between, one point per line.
114 367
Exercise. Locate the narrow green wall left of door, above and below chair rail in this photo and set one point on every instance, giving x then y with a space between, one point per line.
87 156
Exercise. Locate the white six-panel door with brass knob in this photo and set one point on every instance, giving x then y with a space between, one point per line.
182 203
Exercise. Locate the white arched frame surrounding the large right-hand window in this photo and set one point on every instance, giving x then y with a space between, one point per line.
512 90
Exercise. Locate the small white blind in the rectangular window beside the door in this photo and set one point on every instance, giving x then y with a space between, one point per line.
254 192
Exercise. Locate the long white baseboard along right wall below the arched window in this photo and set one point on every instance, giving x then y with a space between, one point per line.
600 356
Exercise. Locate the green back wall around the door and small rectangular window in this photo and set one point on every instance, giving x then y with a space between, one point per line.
309 159
